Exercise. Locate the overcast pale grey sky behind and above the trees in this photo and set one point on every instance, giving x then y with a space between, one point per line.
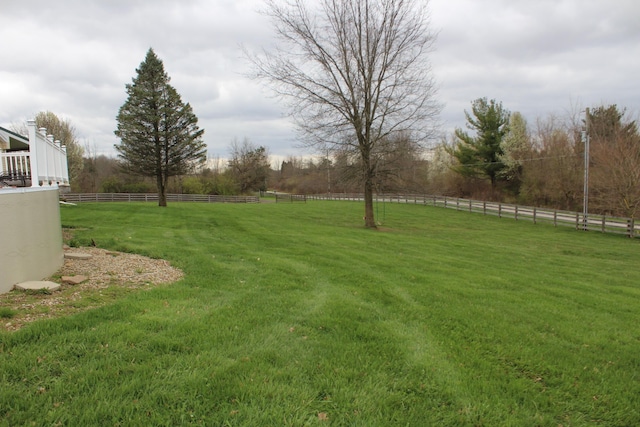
74 57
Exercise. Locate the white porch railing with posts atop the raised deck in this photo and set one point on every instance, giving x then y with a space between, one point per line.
45 163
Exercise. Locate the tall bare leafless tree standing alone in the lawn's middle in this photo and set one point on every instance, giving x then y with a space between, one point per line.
355 73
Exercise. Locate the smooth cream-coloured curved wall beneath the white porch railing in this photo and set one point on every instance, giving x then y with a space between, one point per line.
30 235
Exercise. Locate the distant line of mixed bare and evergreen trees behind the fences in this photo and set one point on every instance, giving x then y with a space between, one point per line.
500 156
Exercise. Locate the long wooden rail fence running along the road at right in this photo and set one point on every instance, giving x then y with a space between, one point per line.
577 220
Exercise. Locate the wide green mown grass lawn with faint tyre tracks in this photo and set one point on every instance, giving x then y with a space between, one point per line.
295 314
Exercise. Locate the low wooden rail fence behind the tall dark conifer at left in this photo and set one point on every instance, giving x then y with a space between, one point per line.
148 197
